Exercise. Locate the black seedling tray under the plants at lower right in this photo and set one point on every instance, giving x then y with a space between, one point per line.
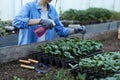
91 73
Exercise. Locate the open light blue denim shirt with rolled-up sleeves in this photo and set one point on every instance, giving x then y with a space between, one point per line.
32 10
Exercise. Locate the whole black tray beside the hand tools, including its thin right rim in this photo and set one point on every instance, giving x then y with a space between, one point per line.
58 61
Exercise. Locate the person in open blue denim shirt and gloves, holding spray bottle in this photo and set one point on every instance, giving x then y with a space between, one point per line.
36 13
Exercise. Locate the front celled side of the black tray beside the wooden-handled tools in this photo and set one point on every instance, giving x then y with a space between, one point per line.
52 60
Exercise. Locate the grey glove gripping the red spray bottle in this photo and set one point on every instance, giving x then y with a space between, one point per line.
48 24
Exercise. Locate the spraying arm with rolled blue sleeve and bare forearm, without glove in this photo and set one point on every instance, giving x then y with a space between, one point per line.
22 19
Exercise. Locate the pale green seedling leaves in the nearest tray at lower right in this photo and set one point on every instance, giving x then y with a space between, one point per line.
106 61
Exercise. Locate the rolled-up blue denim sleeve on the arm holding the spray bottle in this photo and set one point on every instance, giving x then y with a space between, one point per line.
21 20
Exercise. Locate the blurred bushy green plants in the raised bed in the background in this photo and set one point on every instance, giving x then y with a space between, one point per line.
90 15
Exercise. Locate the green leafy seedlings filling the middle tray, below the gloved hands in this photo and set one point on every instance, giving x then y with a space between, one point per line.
74 47
